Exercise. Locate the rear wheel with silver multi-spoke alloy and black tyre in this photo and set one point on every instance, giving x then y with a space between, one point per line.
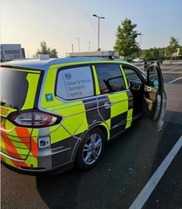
90 149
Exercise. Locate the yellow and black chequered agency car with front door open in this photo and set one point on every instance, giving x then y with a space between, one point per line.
57 113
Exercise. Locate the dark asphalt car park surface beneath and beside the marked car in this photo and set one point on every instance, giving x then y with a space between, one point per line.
128 165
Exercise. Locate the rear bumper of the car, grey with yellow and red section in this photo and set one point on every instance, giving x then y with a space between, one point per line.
54 159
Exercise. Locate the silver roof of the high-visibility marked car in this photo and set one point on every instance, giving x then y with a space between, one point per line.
43 64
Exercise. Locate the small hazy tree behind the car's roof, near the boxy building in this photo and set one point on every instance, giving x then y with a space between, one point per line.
44 49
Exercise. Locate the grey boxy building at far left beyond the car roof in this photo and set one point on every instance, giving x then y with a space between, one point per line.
11 51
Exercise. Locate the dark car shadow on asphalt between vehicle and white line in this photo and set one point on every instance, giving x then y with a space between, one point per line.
127 165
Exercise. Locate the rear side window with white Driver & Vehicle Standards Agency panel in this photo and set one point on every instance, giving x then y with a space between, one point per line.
74 83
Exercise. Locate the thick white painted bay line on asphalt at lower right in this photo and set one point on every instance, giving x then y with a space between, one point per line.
154 180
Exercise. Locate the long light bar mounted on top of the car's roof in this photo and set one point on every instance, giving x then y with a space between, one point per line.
94 54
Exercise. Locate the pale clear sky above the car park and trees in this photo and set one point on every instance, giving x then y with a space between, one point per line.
67 25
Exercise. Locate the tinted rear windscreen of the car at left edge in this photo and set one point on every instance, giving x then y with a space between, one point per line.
14 87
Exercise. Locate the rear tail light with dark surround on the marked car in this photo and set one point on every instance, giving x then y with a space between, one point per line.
34 119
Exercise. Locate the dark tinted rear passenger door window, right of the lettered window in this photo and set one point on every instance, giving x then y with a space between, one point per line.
110 78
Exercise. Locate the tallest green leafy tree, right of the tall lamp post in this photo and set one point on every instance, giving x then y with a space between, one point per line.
125 42
